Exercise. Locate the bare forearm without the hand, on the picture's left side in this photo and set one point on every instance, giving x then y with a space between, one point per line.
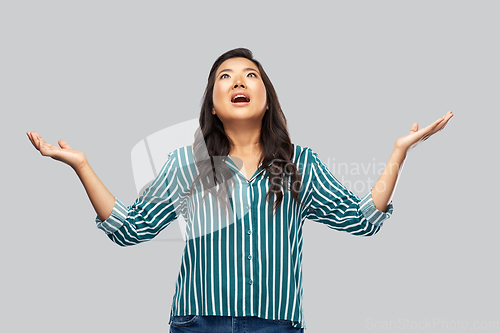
102 200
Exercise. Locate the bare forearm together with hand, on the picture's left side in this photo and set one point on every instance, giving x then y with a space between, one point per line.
102 200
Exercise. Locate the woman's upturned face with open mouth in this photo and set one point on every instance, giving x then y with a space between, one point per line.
239 92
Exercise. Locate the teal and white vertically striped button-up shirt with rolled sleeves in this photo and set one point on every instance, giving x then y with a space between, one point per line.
252 265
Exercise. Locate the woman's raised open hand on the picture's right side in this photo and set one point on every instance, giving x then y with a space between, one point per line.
416 136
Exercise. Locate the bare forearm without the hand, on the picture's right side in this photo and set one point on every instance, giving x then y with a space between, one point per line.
383 189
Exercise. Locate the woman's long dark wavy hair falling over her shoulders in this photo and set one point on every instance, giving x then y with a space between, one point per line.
274 139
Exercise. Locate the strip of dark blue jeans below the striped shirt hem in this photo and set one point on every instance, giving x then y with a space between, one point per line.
225 324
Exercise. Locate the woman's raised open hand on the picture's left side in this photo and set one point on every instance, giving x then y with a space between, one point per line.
65 153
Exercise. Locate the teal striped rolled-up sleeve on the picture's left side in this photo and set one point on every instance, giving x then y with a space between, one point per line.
152 212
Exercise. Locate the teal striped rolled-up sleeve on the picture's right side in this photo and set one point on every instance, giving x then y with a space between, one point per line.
333 204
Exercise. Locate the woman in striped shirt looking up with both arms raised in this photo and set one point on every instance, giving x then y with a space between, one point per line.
244 190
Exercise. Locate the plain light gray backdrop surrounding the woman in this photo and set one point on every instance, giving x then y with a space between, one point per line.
351 76
